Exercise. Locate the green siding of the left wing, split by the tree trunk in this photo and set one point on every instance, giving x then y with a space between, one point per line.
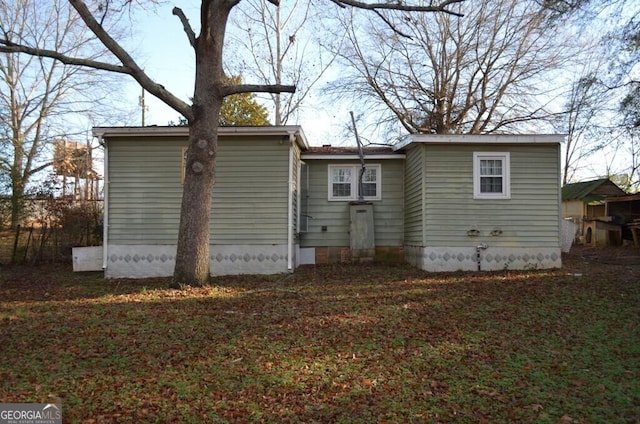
249 204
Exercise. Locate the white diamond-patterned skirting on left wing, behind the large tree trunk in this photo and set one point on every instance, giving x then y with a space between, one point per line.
142 261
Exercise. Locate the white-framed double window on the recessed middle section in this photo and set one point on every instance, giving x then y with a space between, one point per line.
344 182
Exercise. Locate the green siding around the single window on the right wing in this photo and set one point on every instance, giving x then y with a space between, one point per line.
529 218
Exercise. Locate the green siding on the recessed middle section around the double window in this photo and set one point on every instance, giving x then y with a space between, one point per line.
388 212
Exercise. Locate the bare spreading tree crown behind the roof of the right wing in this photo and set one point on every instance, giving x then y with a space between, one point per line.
474 75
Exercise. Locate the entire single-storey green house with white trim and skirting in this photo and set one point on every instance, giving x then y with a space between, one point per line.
442 203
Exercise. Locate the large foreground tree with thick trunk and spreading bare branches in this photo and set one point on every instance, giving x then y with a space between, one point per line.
202 115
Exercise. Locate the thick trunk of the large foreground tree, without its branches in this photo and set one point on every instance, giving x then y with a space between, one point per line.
192 255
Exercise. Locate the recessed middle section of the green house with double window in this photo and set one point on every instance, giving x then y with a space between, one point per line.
346 221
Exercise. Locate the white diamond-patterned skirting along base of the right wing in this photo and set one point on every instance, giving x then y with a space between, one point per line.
446 259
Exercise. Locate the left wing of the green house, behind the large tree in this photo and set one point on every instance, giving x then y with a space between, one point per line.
254 206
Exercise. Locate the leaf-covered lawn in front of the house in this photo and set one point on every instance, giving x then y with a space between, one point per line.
329 344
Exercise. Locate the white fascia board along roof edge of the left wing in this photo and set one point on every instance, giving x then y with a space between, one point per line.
182 131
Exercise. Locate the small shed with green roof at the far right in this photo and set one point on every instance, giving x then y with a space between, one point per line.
584 204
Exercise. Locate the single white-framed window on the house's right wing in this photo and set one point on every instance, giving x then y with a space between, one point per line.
491 175
